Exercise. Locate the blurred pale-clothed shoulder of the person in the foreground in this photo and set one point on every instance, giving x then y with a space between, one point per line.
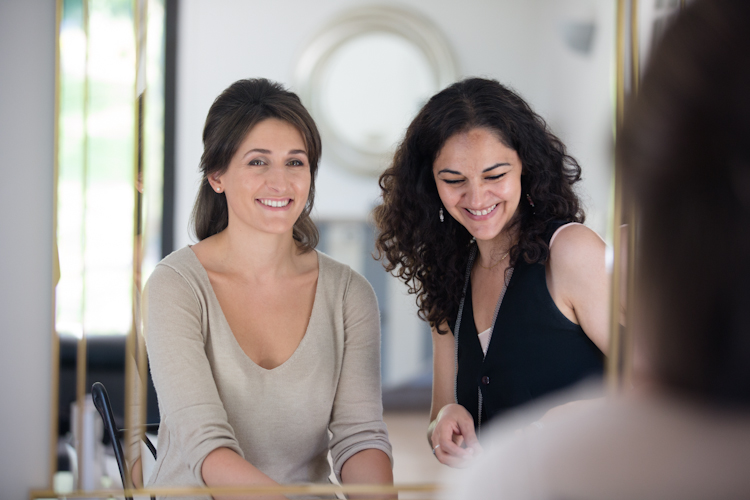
644 448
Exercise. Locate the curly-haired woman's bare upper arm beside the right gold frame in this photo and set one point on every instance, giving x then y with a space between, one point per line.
579 283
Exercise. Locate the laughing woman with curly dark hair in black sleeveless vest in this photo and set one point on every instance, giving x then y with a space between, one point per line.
478 192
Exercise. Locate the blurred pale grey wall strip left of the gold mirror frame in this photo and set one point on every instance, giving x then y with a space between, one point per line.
27 83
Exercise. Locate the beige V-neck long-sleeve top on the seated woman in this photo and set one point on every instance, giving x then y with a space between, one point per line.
212 395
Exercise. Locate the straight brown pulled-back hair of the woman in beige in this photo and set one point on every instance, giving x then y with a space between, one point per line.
233 114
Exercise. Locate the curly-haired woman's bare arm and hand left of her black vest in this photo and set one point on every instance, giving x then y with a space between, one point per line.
451 431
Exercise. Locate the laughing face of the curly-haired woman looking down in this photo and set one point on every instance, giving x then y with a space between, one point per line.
479 181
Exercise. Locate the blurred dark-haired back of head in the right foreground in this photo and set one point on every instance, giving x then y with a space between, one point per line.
685 147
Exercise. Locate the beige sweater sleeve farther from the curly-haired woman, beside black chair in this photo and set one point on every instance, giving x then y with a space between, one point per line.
175 324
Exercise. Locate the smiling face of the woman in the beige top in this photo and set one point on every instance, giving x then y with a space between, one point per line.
268 179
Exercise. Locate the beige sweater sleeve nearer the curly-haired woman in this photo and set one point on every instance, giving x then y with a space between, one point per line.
357 415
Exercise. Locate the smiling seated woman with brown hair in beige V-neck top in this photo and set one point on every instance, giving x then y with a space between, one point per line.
258 344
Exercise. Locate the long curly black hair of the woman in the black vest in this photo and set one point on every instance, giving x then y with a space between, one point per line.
430 256
